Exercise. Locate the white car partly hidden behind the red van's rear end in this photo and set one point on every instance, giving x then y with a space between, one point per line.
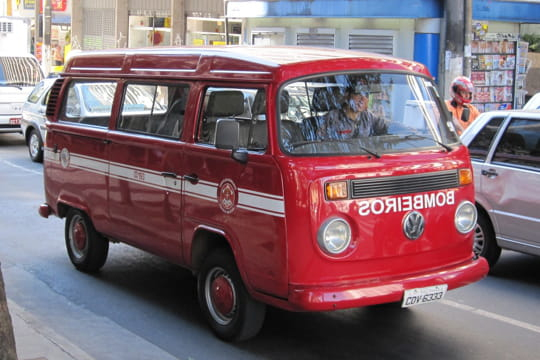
33 118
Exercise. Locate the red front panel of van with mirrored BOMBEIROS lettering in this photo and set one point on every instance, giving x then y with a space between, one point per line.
378 239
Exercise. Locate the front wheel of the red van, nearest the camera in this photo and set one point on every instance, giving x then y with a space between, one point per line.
237 316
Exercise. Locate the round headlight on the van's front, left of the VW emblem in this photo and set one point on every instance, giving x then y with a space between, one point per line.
334 236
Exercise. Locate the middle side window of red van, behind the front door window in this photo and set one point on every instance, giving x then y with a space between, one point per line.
154 109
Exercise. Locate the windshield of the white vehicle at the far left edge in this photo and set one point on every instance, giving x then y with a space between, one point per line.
19 71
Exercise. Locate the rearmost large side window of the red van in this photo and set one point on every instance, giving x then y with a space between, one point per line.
89 102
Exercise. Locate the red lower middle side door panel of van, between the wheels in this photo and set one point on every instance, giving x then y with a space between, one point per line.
145 193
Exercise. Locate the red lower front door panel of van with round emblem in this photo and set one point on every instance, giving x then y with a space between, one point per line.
246 202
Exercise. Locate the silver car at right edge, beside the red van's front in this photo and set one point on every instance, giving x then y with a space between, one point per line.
505 150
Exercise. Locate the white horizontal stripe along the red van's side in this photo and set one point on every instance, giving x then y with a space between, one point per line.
249 200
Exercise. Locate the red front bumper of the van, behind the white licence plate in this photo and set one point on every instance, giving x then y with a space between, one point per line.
333 297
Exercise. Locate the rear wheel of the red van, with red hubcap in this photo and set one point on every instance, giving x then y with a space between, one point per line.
86 248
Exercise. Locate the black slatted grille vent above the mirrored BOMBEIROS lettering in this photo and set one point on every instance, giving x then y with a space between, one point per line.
408 184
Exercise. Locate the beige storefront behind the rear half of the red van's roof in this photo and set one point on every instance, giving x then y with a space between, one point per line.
138 23
